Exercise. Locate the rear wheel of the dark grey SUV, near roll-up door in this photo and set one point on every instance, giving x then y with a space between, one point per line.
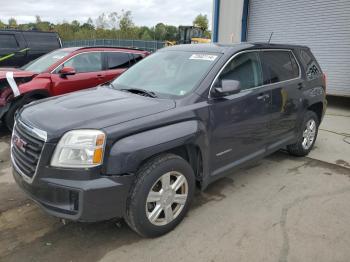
306 136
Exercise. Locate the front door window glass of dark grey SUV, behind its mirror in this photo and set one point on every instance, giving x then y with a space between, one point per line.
244 68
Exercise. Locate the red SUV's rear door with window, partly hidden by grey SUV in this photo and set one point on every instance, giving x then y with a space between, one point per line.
116 64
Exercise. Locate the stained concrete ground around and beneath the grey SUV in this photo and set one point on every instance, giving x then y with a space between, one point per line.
280 209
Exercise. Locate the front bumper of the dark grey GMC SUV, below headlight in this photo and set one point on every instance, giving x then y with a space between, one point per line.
92 199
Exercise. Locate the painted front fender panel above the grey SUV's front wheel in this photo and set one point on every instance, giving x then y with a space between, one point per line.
127 154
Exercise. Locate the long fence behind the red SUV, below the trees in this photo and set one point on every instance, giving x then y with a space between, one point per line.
140 44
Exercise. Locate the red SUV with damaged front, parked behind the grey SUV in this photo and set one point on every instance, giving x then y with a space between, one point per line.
59 72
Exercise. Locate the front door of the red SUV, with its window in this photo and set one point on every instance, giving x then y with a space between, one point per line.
89 73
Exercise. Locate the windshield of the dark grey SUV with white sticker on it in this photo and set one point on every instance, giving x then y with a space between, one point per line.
167 73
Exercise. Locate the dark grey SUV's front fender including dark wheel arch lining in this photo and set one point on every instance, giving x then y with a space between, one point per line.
185 139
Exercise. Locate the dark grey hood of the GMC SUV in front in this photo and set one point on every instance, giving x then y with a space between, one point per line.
95 108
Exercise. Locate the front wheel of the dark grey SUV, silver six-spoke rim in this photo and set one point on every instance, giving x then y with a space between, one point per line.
143 207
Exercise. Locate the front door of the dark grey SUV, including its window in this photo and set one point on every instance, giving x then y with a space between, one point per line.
240 121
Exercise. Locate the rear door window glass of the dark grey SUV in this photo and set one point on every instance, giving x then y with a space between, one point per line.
279 66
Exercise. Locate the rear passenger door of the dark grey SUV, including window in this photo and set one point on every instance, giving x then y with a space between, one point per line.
282 75
